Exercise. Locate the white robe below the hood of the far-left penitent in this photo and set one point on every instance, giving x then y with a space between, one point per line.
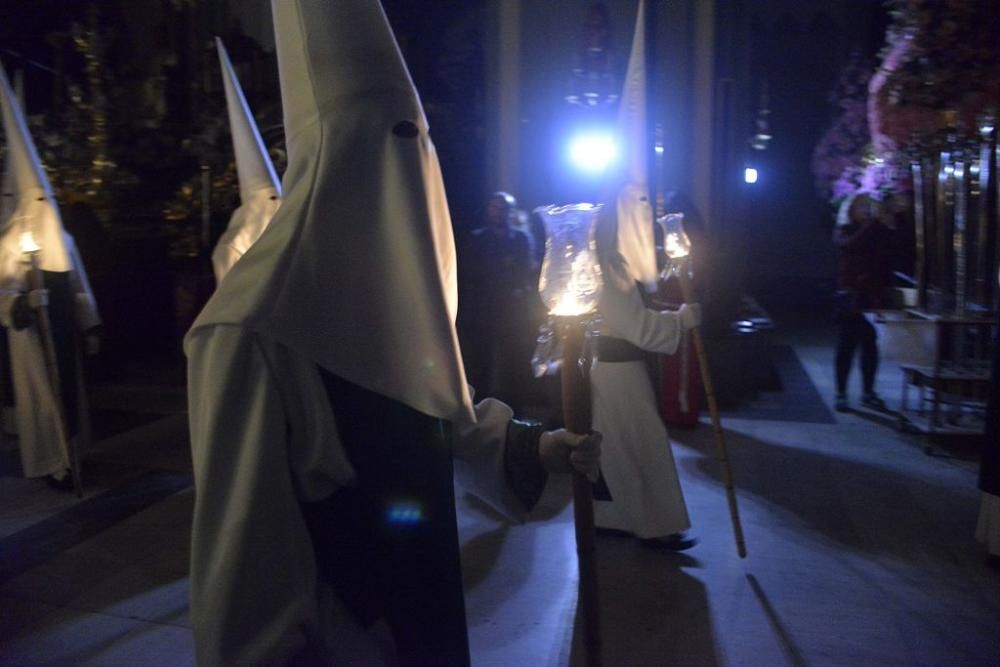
40 432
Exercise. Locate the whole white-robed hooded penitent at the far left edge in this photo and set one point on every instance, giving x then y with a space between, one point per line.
41 436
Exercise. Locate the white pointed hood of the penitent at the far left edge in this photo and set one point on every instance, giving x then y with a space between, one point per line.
35 209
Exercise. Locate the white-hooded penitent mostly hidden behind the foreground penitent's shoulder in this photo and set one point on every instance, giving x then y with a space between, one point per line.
260 192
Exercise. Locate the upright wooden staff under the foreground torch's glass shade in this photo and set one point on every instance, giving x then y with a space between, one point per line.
577 419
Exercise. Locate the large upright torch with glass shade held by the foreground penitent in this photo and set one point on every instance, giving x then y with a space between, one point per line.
570 286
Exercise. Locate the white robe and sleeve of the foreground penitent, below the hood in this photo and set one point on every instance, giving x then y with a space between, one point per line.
263 440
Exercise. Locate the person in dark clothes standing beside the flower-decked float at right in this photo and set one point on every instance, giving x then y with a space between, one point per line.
863 237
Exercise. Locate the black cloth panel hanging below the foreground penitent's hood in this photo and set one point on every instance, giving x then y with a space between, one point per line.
389 546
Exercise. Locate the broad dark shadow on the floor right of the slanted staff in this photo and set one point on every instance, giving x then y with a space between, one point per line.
867 508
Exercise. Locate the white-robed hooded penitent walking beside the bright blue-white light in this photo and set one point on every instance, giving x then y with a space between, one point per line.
636 459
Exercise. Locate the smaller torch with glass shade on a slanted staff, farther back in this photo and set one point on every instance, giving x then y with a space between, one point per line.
677 247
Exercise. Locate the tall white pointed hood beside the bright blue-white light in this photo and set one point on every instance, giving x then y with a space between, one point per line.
634 212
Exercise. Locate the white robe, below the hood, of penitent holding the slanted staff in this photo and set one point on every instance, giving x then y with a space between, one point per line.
636 458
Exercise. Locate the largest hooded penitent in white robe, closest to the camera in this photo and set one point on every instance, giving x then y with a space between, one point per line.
325 364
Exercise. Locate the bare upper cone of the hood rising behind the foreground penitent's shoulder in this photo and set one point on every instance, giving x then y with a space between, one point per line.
253 166
